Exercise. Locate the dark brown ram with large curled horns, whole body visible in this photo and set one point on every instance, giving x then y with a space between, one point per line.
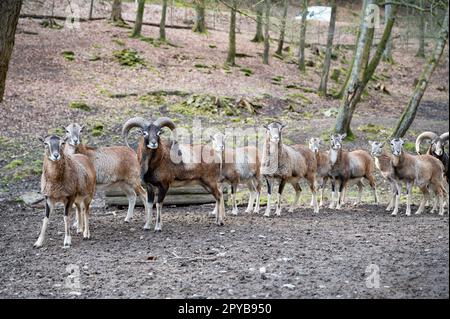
165 164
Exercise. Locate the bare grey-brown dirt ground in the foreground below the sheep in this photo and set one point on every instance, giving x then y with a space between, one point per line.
305 255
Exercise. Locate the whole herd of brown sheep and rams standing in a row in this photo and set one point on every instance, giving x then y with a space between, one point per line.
72 171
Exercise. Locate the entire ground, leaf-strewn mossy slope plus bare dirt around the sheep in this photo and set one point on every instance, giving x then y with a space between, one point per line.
62 76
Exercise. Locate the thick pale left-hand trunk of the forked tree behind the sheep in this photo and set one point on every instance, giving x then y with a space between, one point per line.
362 52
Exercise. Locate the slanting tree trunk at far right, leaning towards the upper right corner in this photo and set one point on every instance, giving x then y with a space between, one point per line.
411 109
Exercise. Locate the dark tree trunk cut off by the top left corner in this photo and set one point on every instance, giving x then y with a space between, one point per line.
9 16
